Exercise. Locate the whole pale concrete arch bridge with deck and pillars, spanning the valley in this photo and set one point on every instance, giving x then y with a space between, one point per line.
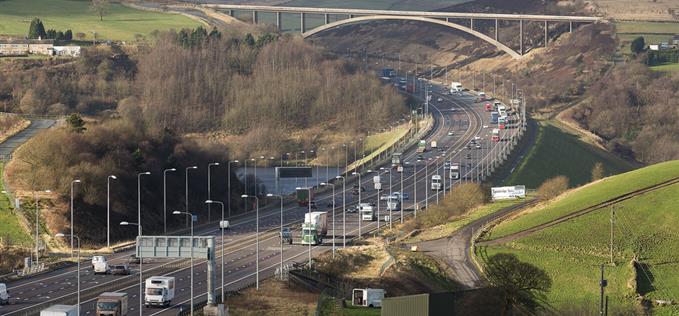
448 19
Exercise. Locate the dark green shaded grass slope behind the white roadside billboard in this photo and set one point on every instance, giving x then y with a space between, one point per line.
559 153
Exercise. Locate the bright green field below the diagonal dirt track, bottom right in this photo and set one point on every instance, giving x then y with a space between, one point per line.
570 252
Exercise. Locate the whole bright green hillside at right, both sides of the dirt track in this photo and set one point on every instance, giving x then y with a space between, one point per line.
571 252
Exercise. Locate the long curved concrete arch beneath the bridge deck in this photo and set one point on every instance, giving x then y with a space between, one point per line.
465 29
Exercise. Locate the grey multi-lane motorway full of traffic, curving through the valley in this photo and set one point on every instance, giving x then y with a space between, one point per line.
457 114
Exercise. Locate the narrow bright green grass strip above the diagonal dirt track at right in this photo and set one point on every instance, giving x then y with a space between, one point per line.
590 195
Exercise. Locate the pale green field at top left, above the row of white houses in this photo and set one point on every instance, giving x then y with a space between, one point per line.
121 23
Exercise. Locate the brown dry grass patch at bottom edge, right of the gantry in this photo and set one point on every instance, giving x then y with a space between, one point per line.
273 298
